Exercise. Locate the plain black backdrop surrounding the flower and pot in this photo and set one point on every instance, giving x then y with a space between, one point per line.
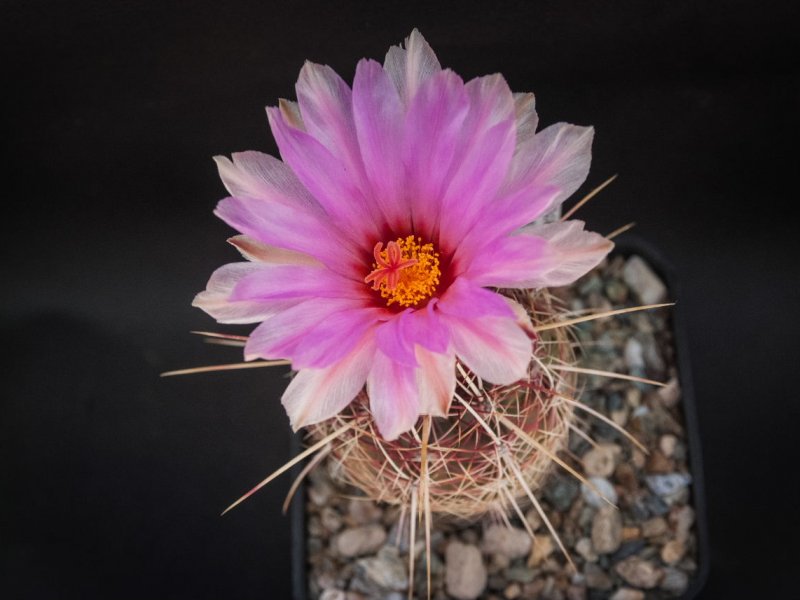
112 480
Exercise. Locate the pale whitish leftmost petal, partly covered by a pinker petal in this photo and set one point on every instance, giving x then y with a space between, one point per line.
215 300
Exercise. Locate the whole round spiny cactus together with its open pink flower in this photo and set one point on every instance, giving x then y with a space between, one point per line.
409 289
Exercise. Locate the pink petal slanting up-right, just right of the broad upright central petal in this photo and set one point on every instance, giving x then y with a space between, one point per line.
482 159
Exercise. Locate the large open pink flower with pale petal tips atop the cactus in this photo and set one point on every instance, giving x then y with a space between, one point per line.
371 246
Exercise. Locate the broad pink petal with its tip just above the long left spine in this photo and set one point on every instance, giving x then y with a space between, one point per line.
312 333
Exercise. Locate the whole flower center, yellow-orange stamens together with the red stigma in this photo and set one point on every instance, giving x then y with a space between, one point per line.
406 272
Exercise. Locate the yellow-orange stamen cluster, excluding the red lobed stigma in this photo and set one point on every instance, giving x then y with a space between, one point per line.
417 281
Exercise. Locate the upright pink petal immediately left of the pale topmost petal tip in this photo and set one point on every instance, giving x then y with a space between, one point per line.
379 120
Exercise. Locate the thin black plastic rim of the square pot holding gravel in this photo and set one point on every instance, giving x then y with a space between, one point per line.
627 246
